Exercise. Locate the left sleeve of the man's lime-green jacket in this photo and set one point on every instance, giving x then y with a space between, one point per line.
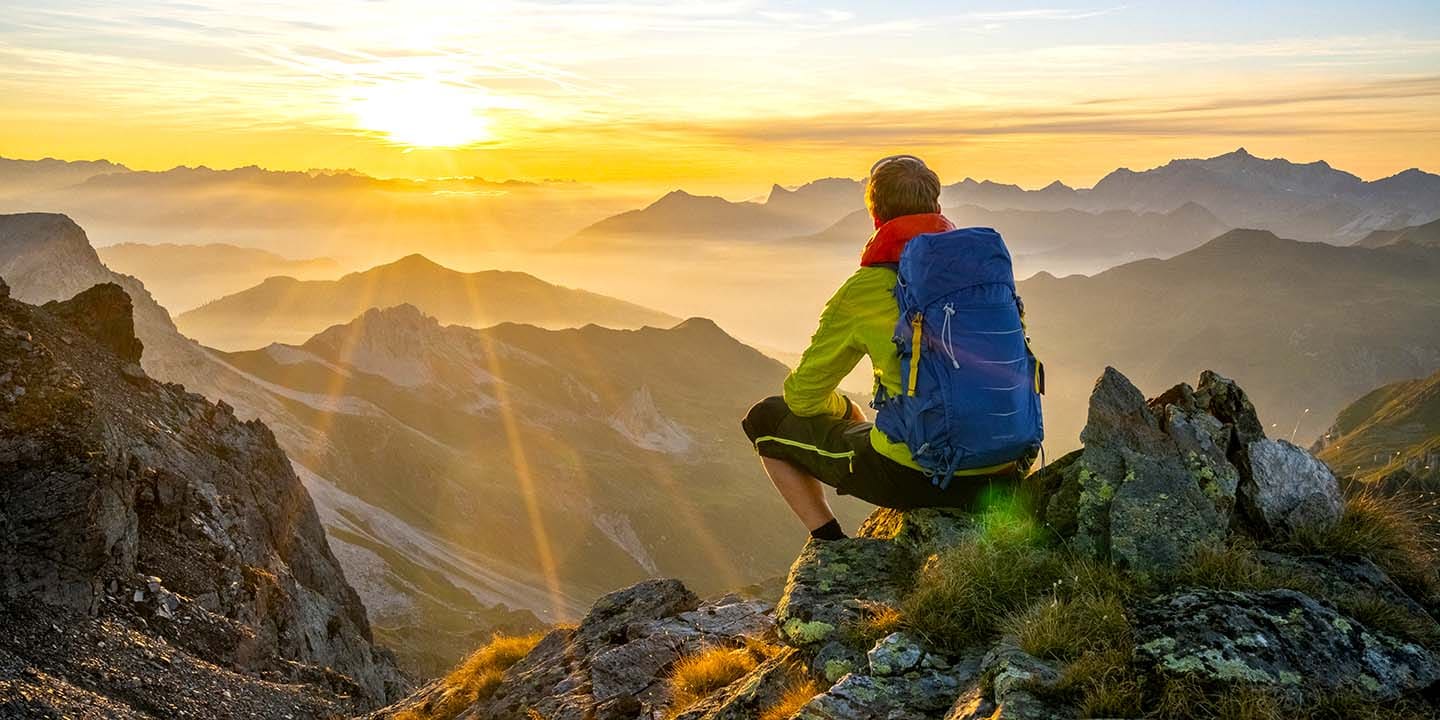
811 388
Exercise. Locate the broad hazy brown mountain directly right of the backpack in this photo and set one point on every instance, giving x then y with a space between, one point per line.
1304 326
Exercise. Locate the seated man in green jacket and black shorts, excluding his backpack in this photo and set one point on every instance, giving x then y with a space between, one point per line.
814 437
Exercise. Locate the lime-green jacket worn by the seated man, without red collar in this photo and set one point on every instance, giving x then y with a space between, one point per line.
859 322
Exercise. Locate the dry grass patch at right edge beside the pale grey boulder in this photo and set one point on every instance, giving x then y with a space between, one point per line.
1392 531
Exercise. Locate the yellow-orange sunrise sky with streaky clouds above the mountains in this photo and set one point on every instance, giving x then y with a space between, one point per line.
724 97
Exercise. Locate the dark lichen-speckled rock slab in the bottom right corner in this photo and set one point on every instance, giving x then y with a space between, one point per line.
1278 639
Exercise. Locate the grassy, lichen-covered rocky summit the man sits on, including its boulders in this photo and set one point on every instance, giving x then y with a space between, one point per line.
1180 565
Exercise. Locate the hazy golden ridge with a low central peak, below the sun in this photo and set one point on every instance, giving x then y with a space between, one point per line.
289 310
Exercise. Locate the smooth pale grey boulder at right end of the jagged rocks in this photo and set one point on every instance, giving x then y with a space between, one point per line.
1287 489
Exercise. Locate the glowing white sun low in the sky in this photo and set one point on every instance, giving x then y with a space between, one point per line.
426 114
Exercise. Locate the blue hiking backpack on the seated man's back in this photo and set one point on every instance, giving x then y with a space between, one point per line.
970 384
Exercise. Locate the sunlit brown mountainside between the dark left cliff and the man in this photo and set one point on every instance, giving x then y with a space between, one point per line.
525 467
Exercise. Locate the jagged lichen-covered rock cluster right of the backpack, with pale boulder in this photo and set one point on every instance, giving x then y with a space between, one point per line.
1158 480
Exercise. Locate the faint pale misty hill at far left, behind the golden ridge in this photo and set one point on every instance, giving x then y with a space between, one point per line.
184 277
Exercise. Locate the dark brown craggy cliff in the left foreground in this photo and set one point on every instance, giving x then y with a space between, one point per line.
110 483
